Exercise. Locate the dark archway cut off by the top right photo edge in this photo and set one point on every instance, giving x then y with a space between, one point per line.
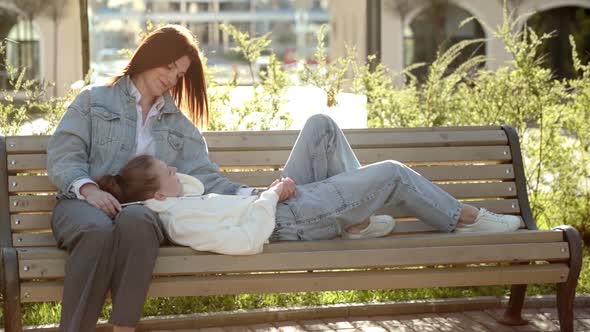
557 52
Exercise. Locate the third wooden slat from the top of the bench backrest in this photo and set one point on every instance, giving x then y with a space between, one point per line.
33 183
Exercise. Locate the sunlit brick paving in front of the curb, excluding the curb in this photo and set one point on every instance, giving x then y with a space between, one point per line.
543 319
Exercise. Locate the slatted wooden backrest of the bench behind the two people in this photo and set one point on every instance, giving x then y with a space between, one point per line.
480 165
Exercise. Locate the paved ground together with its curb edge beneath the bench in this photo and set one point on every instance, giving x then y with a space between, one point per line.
448 315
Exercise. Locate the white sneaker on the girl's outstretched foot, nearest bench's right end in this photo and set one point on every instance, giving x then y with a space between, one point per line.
490 222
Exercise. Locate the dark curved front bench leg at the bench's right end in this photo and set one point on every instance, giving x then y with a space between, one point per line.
566 291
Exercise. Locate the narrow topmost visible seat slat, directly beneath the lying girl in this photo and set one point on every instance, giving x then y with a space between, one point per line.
397 241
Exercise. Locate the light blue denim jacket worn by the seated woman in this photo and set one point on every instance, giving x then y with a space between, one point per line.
96 136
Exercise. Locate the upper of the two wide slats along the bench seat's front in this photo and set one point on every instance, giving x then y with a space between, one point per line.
327 260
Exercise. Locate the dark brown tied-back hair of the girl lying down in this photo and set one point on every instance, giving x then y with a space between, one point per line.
137 181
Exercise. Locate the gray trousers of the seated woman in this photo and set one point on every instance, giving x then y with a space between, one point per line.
116 255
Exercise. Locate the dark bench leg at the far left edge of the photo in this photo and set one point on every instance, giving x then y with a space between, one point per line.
11 291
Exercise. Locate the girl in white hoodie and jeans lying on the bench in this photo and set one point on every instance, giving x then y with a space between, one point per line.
325 193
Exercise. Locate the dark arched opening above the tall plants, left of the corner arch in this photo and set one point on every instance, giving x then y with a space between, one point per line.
437 27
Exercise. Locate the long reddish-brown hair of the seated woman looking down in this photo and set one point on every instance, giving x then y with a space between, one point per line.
162 47
